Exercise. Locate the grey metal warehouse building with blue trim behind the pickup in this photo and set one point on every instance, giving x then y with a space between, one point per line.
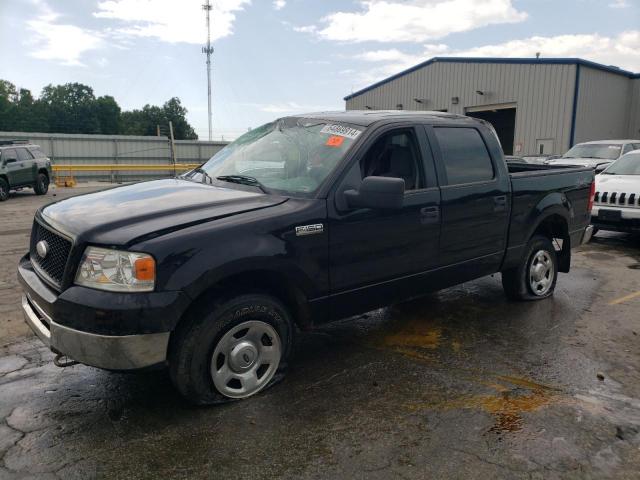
536 105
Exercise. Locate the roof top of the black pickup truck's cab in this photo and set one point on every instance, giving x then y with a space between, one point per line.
367 117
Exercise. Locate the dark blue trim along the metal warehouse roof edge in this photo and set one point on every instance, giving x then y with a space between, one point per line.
513 61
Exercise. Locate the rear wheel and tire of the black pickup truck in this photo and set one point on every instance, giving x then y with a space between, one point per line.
536 277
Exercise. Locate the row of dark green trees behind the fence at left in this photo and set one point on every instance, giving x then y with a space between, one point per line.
74 108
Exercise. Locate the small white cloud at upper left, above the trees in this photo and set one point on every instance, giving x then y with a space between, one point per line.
49 39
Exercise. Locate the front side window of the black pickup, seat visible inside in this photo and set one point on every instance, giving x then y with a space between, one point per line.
395 154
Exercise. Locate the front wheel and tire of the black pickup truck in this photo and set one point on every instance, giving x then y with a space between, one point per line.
215 355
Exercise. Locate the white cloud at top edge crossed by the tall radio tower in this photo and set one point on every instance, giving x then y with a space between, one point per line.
171 20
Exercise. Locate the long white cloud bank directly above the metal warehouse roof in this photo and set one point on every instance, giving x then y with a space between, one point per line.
622 50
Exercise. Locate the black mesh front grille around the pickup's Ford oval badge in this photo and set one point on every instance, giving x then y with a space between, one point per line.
55 262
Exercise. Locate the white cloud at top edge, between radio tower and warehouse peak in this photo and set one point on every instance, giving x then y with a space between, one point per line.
413 20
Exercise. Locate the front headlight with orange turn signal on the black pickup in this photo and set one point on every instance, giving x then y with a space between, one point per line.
116 271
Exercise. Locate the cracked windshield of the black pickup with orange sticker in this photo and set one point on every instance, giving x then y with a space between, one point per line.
291 155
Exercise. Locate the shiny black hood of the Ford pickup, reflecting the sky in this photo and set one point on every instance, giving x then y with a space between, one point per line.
124 214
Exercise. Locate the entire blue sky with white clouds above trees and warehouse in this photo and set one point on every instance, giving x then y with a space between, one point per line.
279 57
